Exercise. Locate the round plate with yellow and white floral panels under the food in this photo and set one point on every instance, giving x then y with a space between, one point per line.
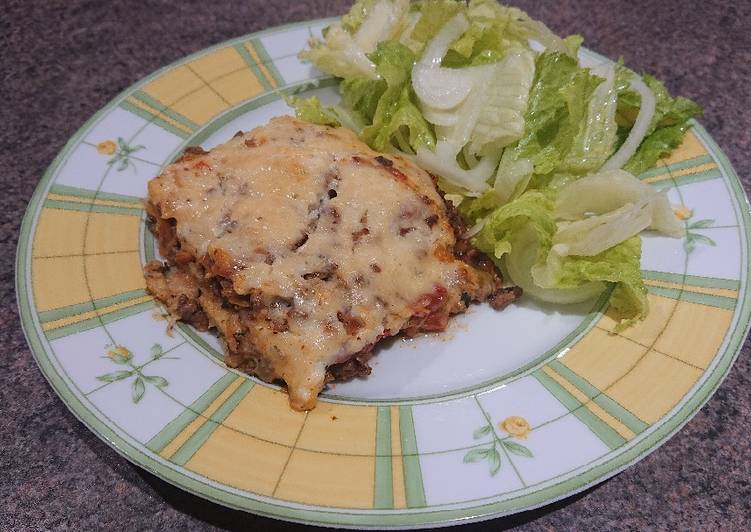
503 412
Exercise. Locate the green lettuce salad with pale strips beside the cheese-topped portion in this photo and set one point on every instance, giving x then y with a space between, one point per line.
539 153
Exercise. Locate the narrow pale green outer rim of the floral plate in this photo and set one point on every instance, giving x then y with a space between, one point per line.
670 424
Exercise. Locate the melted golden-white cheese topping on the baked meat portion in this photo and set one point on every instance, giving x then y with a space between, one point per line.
341 242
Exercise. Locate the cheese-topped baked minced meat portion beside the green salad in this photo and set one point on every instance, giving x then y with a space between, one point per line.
303 248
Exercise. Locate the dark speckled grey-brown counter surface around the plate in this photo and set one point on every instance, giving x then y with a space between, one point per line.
63 60
